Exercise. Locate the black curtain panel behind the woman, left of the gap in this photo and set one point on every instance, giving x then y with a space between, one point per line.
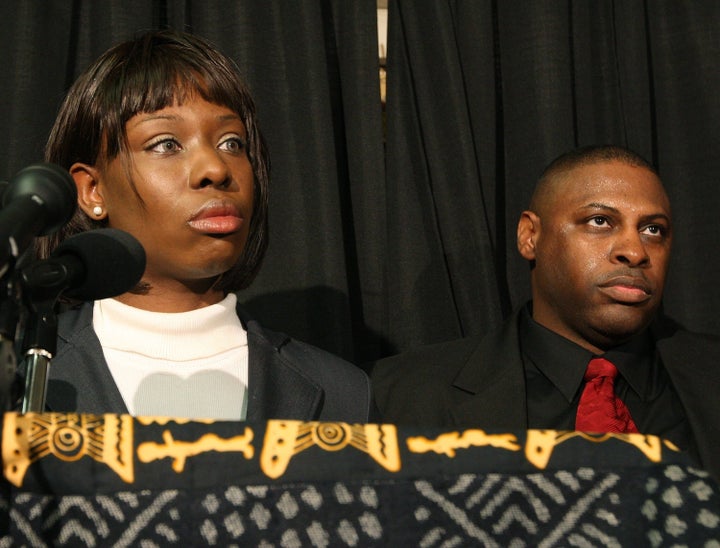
312 67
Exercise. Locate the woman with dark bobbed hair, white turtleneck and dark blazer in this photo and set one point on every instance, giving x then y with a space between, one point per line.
160 137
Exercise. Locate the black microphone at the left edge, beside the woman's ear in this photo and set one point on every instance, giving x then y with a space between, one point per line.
37 201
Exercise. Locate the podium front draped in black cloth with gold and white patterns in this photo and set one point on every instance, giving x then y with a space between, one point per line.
100 480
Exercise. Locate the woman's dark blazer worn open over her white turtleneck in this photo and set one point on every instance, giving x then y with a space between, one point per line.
288 379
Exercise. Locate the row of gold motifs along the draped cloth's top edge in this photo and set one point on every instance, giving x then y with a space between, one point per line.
109 439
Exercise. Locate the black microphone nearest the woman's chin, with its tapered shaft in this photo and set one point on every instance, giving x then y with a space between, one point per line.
88 266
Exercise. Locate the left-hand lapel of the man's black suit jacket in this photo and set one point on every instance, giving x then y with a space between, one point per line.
490 387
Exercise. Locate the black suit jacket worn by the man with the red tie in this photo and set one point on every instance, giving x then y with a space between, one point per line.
479 381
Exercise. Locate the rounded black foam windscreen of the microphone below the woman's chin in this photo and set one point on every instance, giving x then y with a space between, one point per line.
114 262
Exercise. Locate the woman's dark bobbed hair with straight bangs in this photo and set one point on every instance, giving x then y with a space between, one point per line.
148 73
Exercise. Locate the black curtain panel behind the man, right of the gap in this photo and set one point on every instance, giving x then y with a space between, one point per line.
483 94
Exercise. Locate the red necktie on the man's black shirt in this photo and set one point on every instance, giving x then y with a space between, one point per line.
599 409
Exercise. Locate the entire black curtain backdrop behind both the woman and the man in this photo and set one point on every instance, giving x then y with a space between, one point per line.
395 228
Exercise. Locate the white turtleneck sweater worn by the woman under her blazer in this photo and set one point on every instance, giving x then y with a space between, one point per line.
188 364
